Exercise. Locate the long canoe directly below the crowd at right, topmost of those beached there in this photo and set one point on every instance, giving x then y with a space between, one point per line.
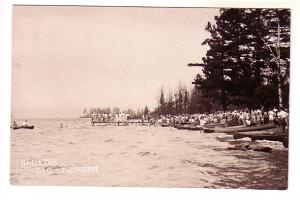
239 129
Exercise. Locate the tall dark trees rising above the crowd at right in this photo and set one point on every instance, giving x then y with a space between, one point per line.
248 60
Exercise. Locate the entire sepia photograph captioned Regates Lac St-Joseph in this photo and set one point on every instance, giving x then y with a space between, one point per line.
137 96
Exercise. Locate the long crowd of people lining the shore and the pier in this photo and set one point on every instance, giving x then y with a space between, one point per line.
243 117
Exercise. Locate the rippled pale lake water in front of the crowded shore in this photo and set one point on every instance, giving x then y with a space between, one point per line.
139 156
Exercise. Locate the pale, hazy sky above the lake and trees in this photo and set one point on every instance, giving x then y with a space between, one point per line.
66 58
